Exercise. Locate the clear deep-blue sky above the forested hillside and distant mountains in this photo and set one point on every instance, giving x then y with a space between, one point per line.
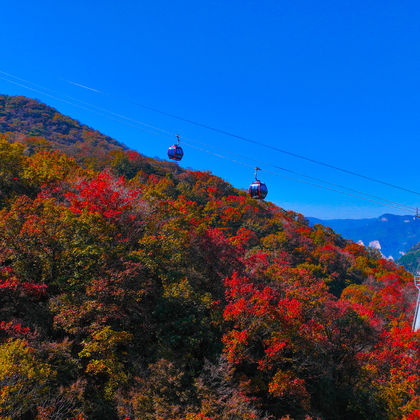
336 81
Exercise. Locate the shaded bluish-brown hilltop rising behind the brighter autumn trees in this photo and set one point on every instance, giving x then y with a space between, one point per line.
41 127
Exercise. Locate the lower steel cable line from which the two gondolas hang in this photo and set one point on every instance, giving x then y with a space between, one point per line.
134 123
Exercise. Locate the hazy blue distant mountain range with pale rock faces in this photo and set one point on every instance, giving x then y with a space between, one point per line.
392 235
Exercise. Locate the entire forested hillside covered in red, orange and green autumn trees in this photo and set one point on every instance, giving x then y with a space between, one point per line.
133 289
